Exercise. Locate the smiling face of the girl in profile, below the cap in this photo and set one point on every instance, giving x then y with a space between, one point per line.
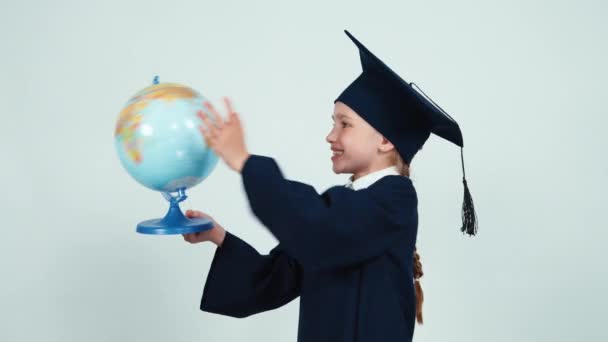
357 147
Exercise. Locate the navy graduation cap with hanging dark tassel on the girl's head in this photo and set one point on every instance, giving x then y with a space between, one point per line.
404 114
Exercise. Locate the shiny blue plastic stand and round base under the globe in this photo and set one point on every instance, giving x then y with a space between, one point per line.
174 221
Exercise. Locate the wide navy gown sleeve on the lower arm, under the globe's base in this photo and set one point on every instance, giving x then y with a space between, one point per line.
242 282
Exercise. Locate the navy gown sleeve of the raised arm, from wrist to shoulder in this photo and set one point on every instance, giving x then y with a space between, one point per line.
338 228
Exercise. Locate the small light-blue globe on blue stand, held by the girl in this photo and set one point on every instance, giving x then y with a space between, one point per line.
159 143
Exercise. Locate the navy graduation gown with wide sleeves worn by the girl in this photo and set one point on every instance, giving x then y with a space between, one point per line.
347 254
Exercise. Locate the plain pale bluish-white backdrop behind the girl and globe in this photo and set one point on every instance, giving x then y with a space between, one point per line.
524 79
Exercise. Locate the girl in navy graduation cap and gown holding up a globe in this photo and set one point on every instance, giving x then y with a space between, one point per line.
348 253
